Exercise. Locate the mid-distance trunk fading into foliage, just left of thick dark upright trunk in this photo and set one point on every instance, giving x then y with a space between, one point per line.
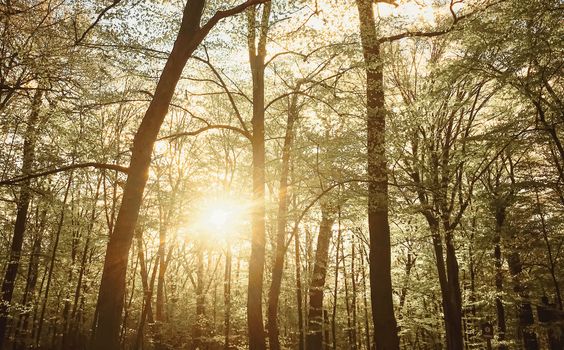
314 336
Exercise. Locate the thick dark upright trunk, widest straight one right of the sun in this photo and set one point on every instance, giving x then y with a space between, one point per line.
386 334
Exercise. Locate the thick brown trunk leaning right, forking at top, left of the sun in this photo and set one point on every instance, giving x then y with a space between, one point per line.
112 286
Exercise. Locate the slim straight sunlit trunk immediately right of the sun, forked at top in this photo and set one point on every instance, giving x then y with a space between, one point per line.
257 53
